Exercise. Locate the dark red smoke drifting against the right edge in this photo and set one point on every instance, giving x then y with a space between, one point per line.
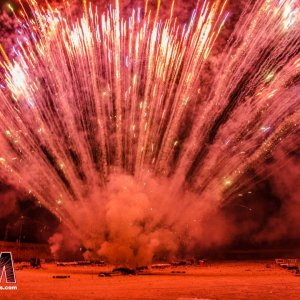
285 177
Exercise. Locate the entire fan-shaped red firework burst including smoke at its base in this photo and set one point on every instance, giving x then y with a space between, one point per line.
105 122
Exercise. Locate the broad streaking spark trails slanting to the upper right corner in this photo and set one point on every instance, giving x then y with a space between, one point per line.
246 105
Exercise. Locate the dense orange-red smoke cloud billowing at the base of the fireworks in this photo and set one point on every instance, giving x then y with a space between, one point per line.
135 222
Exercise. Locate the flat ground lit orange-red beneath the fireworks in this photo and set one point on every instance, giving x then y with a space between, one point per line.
221 280
